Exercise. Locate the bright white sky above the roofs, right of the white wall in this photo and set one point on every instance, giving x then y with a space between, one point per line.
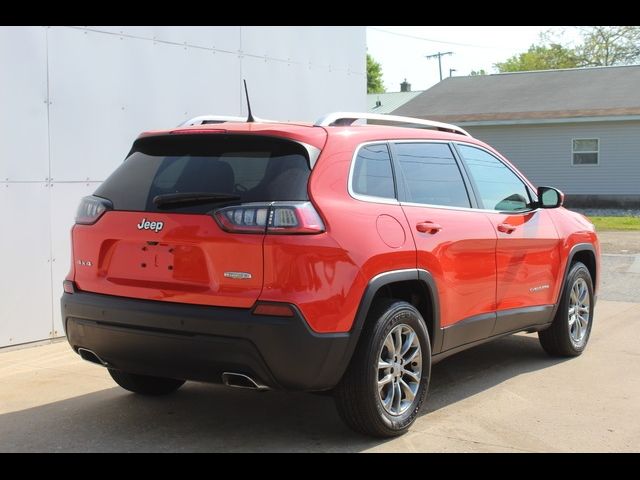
473 47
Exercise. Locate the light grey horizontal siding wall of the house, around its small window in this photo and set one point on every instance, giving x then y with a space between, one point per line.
543 153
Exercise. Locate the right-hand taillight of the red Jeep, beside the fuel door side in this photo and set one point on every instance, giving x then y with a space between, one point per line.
272 218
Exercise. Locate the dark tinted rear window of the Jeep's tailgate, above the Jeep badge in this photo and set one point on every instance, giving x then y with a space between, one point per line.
256 169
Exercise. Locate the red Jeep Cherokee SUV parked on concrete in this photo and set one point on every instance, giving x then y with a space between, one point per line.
339 256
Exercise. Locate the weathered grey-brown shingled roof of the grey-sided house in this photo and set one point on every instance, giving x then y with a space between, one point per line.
549 94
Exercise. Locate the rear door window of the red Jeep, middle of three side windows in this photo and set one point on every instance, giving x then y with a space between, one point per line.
431 174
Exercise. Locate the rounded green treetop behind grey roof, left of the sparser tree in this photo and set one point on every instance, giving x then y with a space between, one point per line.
541 57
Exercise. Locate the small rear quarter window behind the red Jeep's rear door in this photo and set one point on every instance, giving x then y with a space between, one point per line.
372 174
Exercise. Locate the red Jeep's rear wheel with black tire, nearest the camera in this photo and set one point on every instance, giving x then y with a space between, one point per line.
357 397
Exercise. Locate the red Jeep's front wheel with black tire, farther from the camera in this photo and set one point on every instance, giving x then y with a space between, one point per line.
568 335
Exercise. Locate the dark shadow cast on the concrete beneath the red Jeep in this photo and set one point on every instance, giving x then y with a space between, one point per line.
203 417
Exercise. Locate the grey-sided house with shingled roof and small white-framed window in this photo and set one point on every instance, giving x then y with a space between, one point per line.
574 129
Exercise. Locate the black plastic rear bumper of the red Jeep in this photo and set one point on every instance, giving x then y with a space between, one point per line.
194 342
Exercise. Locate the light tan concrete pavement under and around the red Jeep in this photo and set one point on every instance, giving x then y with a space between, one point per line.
504 396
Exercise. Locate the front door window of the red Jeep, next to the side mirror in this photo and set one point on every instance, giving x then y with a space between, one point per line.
499 188
